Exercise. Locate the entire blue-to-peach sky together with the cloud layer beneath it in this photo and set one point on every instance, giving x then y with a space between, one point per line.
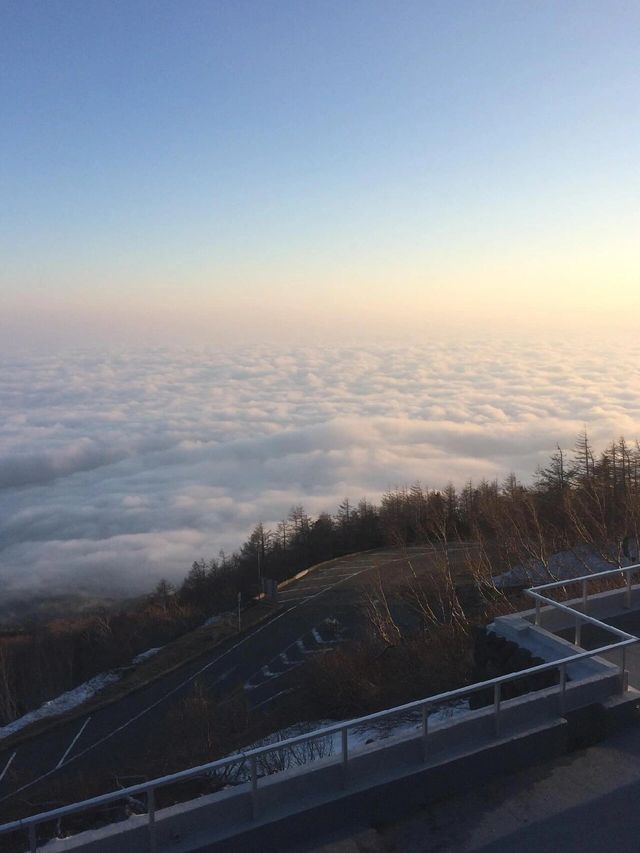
256 254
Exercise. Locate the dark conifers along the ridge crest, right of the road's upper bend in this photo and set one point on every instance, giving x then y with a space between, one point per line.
578 497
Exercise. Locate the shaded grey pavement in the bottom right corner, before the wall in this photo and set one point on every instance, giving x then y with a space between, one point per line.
585 801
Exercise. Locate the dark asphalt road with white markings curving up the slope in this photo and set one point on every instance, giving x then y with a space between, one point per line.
317 611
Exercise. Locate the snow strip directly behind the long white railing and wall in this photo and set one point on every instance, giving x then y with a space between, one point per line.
360 737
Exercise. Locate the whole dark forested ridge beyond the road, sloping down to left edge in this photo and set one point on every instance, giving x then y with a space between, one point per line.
579 498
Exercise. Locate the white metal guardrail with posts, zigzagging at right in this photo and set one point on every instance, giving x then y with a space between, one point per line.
253 756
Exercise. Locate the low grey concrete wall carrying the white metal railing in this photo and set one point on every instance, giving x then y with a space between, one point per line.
389 775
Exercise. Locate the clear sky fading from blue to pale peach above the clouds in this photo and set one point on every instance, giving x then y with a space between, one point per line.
217 169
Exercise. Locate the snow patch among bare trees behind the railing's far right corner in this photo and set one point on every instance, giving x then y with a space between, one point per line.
564 565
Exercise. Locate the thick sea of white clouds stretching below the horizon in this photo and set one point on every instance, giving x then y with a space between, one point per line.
117 469
